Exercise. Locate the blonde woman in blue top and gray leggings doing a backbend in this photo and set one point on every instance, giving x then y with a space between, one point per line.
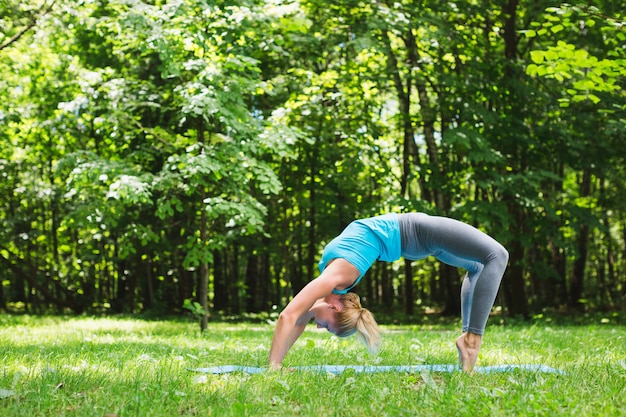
346 259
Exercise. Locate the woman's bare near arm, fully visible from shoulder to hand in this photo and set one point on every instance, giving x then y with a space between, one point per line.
294 318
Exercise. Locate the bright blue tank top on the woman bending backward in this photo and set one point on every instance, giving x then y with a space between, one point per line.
363 242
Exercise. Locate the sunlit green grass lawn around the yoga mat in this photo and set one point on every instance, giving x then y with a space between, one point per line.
108 367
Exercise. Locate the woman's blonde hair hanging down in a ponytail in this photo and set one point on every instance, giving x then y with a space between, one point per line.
354 318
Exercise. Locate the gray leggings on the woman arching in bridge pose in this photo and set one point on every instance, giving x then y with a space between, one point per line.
461 245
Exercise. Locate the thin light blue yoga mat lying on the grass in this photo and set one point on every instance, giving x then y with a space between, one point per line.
338 369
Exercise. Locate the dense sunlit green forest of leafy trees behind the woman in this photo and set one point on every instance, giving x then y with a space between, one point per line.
167 154
